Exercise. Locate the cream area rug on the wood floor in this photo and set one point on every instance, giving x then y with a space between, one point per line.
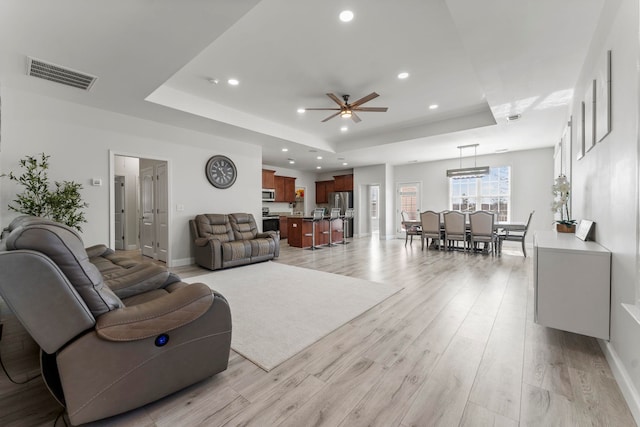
278 310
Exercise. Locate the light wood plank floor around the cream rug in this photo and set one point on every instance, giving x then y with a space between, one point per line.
456 347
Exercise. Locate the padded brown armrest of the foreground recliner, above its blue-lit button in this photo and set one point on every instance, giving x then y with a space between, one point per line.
158 316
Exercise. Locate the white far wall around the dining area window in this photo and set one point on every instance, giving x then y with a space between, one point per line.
531 181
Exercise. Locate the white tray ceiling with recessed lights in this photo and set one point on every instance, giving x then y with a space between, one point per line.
480 61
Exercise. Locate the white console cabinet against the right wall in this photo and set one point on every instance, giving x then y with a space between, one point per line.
572 282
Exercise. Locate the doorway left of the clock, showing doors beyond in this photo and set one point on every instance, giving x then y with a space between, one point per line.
140 192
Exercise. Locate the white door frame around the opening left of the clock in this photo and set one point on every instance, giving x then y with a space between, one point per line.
112 220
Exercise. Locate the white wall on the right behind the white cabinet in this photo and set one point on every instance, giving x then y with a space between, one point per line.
605 184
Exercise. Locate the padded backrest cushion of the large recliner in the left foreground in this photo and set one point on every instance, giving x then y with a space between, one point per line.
65 248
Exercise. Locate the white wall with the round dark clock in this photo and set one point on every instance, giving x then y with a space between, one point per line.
79 138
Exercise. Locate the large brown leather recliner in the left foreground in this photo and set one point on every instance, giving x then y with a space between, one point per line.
101 355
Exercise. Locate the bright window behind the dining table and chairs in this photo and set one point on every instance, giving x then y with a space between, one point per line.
488 193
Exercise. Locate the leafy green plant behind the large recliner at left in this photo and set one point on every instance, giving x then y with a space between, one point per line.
62 204
